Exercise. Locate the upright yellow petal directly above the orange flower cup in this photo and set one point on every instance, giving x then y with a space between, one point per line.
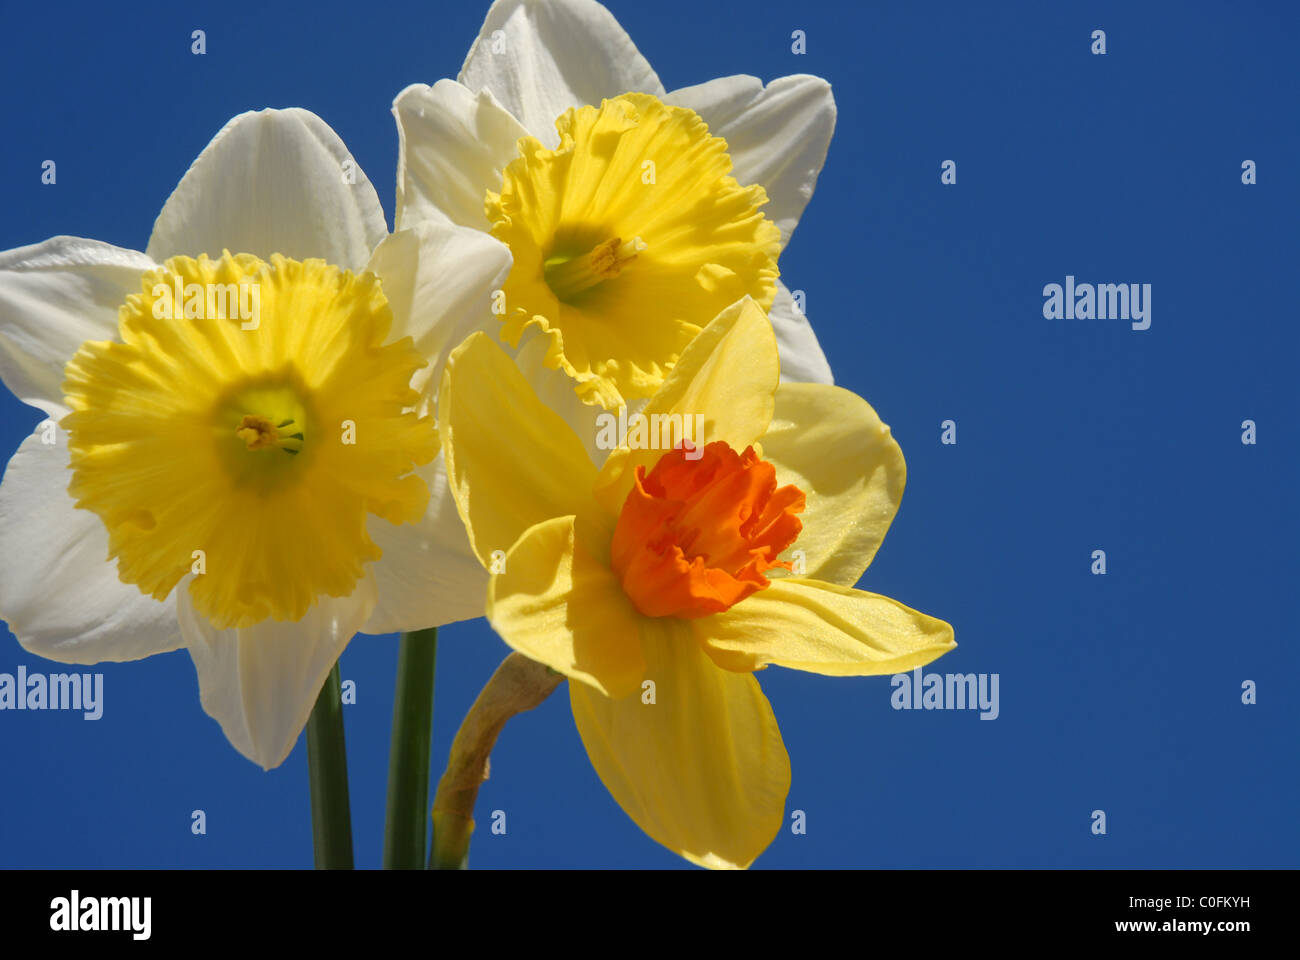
729 375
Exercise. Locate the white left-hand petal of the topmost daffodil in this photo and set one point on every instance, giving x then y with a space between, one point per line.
453 146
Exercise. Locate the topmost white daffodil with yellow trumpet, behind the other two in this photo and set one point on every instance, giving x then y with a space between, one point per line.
634 215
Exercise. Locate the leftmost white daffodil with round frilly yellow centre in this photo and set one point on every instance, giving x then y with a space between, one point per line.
252 485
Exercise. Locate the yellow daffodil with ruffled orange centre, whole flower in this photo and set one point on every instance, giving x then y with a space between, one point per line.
661 582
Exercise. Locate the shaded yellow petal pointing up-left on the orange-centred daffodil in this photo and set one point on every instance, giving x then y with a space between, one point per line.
512 461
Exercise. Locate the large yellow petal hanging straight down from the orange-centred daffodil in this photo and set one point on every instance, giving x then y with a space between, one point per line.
703 769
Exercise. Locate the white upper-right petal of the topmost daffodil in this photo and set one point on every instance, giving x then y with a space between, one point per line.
777 136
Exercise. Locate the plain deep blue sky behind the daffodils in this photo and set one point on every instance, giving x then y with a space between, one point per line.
1120 693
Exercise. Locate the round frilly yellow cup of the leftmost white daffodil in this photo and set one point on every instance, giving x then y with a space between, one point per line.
244 429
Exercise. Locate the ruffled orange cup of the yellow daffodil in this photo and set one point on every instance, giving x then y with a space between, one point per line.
695 538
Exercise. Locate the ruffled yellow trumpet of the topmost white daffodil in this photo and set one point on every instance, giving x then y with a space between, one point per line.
626 239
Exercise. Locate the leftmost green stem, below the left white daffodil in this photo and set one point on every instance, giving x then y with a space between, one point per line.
327 769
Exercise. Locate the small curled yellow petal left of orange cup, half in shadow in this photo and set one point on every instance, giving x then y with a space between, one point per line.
561 607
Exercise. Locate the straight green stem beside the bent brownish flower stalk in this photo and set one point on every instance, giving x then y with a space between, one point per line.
408 819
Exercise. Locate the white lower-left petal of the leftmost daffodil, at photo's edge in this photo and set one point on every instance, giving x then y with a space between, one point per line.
59 593
